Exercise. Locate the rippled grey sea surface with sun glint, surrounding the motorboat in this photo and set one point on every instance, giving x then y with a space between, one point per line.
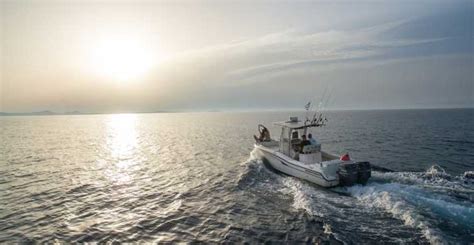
192 177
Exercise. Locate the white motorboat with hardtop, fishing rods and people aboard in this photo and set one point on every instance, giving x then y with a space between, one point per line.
294 157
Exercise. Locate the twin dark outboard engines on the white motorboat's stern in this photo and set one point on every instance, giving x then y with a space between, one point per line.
354 173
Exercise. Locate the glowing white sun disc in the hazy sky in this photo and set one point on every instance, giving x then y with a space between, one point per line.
121 60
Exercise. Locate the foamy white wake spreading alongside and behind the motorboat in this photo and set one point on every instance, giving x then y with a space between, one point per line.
394 206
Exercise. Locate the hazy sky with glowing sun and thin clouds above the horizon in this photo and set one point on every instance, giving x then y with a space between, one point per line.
141 56
